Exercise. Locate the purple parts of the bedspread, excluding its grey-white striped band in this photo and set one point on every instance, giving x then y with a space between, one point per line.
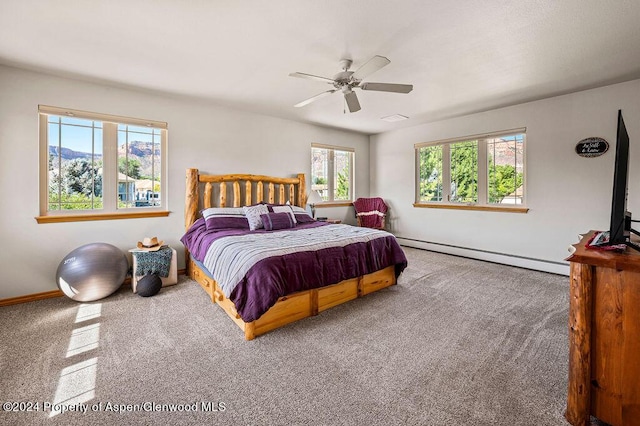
274 277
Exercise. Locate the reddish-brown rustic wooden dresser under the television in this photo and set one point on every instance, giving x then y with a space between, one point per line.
604 336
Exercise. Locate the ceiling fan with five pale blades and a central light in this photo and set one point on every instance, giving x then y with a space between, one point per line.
345 81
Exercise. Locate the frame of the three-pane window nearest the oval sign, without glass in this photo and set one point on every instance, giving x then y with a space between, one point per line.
482 174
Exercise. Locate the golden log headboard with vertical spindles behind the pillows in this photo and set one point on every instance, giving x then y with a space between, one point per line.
244 190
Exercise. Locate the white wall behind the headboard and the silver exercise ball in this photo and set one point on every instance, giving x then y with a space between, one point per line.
202 135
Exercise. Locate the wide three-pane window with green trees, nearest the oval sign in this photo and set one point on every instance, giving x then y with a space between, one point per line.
483 171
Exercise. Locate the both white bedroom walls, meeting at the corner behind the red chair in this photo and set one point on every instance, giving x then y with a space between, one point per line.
566 194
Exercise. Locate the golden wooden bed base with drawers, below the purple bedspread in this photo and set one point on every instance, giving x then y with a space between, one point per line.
295 306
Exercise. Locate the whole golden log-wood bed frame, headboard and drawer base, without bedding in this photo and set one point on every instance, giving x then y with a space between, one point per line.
247 190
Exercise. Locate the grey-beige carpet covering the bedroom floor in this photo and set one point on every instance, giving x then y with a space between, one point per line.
456 342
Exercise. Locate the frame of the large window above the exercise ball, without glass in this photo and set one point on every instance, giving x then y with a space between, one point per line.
110 208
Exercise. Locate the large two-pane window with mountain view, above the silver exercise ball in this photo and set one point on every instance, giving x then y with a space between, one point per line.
100 166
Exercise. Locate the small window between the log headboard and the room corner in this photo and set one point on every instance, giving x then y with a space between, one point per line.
332 173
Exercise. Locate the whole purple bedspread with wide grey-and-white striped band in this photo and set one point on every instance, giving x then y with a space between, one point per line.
255 268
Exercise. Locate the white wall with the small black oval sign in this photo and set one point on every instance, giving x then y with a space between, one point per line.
567 194
